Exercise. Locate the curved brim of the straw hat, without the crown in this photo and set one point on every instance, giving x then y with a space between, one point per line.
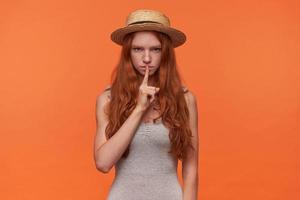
177 37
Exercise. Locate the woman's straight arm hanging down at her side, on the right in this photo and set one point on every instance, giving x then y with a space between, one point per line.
190 163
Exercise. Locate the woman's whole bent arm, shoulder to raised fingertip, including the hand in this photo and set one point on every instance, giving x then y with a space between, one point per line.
107 153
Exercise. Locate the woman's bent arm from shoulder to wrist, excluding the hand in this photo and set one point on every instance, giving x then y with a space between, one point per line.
107 153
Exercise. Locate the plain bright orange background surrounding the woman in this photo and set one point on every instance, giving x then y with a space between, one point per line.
241 60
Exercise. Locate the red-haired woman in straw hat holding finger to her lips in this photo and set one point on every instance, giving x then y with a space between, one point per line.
146 119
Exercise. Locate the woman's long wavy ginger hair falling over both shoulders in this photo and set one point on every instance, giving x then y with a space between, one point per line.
171 101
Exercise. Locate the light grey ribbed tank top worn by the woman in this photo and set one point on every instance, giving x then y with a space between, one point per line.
149 172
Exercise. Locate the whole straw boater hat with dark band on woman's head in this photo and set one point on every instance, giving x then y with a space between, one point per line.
148 20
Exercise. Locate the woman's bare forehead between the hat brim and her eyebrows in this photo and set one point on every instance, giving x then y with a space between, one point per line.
145 38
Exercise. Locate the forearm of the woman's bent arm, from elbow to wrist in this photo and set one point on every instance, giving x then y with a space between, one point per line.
110 152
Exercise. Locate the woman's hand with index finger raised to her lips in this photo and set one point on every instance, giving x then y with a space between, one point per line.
146 93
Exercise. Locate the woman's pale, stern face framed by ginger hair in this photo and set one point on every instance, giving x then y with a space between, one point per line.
145 51
